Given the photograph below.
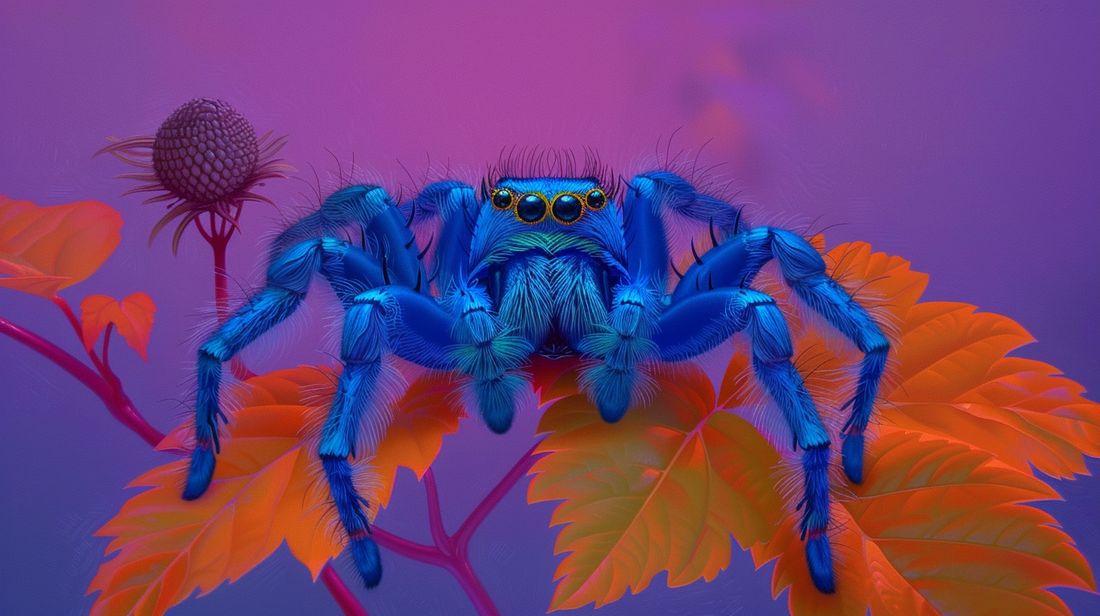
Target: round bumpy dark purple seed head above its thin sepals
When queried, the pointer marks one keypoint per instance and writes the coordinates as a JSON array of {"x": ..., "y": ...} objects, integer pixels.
[{"x": 205, "y": 152}]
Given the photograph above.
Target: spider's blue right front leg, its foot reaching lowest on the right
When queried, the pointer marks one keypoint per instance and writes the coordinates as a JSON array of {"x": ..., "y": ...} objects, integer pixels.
[{"x": 729, "y": 311}]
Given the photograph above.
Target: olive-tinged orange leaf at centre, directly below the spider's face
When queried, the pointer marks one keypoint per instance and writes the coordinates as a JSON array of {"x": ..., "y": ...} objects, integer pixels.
[{"x": 659, "y": 491}]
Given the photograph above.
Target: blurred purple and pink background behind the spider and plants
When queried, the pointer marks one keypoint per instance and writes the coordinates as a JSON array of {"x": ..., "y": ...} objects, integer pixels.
[{"x": 964, "y": 137}]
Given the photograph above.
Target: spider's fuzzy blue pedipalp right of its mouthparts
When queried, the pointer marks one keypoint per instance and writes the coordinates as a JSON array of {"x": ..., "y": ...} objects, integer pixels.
[{"x": 621, "y": 348}]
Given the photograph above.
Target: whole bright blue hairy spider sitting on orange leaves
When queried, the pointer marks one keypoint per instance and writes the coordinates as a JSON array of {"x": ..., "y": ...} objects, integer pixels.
[{"x": 553, "y": 267}]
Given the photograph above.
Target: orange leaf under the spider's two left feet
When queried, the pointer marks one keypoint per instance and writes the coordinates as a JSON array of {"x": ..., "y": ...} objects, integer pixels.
[{"x": 268, "y": 488}]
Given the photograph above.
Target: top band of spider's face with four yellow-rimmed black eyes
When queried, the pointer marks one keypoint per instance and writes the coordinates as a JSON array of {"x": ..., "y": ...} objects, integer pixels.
[{"x": 534, "y": 201}]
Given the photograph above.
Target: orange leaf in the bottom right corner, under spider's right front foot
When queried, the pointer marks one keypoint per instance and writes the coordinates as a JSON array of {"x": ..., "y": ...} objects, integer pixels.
[{"x": 936, "y": 529}]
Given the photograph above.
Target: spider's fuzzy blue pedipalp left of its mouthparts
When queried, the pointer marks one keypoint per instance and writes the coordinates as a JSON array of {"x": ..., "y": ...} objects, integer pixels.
[{"x": 489, "y": 353}]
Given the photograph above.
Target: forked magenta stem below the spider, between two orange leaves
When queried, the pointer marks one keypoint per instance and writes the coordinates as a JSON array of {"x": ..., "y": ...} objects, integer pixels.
[{"x": 452, "y": 553}]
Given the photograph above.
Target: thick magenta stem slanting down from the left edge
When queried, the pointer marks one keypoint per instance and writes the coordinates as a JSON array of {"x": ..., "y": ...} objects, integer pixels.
[{"x": 117, "y": 402}]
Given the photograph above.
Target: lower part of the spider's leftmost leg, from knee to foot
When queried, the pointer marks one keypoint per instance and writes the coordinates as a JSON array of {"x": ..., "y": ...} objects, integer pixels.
[{"x": 289, "y": 280}]
